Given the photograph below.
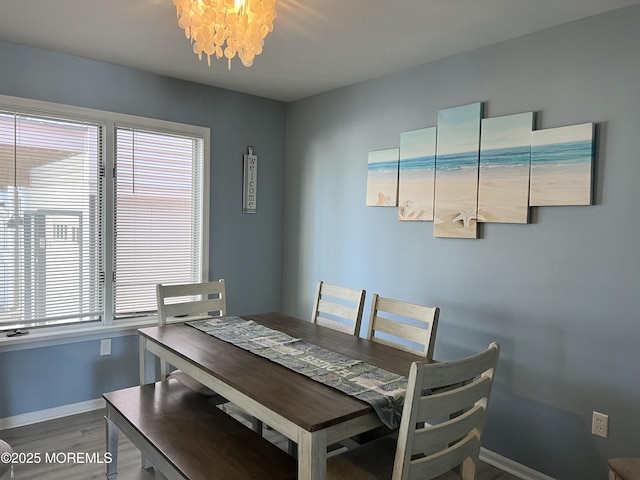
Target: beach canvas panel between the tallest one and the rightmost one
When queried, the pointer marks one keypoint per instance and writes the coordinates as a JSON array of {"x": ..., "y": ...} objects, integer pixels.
[{"x": 505, "y": 158}]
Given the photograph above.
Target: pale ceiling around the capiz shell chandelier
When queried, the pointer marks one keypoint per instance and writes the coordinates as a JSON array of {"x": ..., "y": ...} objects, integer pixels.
[{"x": 316, "y": 45}]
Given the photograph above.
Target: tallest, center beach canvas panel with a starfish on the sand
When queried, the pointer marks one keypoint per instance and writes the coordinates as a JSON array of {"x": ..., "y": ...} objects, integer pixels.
[{"x": 457, "y": 164}]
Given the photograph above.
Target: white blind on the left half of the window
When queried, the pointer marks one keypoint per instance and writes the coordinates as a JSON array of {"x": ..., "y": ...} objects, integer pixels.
[{"x": 50, "y": 221}]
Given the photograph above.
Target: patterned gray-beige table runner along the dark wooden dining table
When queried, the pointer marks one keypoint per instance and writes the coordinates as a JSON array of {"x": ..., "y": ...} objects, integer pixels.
[{"x": 381, "y": 389}]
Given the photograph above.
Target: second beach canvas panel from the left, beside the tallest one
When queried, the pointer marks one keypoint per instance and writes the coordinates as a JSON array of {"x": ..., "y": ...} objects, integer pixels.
[{"x": 417, "y": 174}]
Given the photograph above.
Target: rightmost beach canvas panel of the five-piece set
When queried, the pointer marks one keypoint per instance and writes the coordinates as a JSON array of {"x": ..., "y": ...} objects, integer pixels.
[{"x": 562, "y": 165}]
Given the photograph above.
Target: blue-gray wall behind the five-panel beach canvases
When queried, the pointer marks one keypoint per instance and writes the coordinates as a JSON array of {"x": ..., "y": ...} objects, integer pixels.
[{"x": 560, "y": 294}]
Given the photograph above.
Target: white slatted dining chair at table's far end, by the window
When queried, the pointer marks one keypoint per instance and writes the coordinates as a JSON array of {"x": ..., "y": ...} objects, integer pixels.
[{"x": 187, "y": 302}]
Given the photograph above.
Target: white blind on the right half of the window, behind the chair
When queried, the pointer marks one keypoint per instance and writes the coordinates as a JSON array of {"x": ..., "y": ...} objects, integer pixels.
[{"x": 158, "y": 216}]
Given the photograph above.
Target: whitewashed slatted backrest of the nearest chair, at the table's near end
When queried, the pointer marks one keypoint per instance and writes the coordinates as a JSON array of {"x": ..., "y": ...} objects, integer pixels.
[{"x": 451, "y": 399}]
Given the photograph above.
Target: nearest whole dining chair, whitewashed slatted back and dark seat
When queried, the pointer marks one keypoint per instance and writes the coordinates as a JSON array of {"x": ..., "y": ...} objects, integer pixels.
[{"x": 449, "y": 400}]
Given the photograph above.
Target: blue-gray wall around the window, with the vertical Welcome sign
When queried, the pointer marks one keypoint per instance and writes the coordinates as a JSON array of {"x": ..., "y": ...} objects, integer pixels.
[{"x": 246, "y": 250}]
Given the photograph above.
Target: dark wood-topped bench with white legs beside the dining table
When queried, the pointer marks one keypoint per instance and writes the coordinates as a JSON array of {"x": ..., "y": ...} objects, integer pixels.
[{"x": 185, "y": 437}]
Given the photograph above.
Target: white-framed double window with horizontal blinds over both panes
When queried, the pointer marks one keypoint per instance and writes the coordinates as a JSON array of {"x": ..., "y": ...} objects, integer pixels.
[{"x": 95, "y": 210}]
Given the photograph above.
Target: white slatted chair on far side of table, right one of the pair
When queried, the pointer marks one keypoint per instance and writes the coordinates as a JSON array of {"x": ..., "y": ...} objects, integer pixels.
[{"x": 403, "y": 325}]
